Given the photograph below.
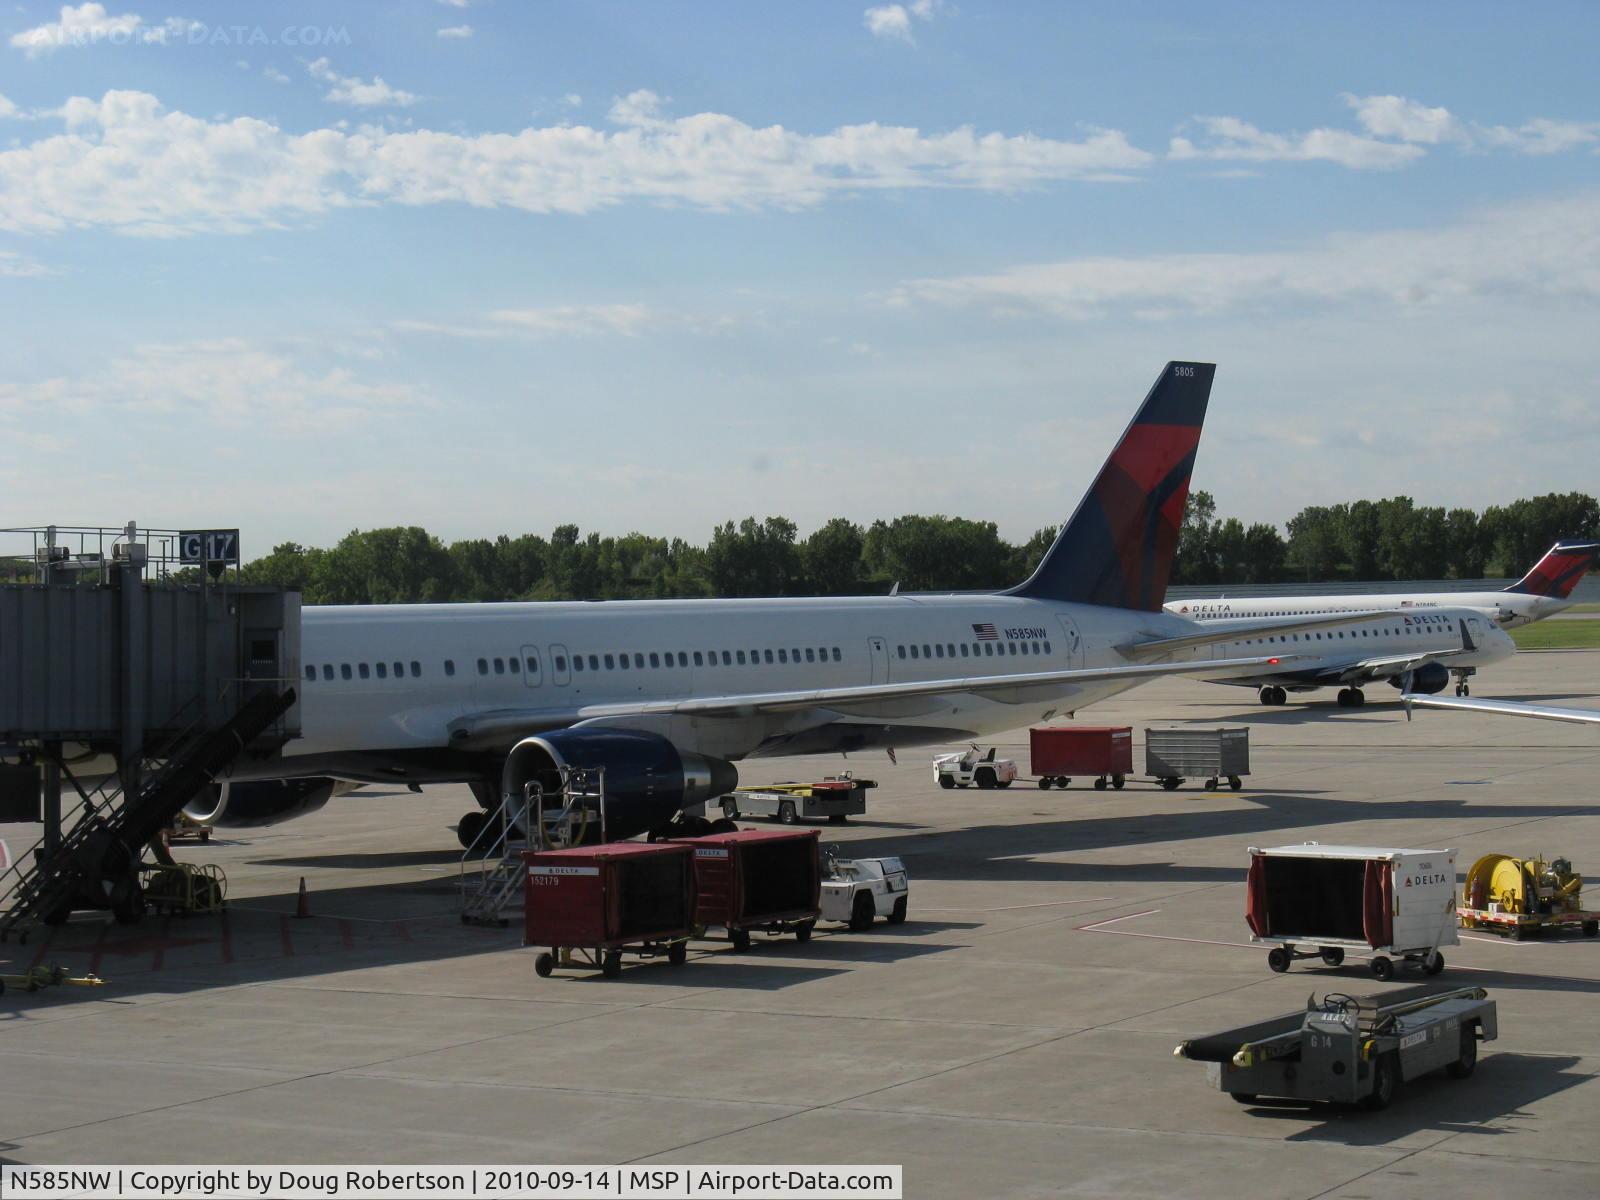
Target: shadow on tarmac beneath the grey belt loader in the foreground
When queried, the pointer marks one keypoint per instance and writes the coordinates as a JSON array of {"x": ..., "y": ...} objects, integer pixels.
[{"x": 1503, "y": 1087}]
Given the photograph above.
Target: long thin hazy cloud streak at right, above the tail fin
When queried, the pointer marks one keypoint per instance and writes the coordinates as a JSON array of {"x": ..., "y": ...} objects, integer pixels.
[{"x": 1546, "y": 250}]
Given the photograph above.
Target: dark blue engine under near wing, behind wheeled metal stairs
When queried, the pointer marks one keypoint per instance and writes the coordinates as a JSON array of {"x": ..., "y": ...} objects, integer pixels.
[{"x": 647, "y": 778}]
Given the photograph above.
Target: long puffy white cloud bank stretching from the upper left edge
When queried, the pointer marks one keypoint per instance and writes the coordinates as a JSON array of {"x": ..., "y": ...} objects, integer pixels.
[{"x": 127, "y": 164}]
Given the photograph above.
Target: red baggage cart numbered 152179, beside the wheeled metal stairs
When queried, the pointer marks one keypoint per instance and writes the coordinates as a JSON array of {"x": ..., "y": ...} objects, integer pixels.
[{"x": 593, "y": 903}]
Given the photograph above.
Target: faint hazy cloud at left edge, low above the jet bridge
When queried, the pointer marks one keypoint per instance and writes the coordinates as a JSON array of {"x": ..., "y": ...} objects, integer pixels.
[{"x": 231, "y": 382}]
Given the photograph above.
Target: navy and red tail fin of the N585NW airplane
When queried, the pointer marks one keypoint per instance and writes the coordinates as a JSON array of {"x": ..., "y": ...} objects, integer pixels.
[{"x": 1118, "y": 550}]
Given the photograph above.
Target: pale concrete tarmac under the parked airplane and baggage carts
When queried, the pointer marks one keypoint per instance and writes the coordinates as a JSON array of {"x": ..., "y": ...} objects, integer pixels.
[{"x": 1012, "y": 1039}]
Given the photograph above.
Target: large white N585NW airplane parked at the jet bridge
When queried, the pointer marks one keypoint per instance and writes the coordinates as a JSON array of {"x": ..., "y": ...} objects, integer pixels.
[{"x": 670, "y": 695}]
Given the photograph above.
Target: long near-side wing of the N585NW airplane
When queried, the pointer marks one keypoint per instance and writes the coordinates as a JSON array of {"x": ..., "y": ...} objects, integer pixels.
[{"x": 503, "y": 724}]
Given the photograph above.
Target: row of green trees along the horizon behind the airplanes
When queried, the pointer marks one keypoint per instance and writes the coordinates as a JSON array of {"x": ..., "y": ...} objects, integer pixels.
[{"x": 1366, "y": 540}]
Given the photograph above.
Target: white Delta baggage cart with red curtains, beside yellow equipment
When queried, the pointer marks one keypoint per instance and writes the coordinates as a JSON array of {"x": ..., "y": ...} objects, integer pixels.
[{"x": 1314, "y": 902}]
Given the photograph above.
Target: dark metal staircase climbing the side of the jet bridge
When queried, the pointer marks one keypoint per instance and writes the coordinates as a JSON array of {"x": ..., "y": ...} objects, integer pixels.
[{"x": 97, "y": 863}]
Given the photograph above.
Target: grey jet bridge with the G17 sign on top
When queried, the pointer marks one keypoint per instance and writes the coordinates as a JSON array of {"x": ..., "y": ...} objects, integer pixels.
[{"x": 135, "y": 668}]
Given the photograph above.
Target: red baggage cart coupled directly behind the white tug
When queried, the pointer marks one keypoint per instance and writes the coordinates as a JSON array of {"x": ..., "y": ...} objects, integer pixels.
[{"x": 758, "y": 879}]
